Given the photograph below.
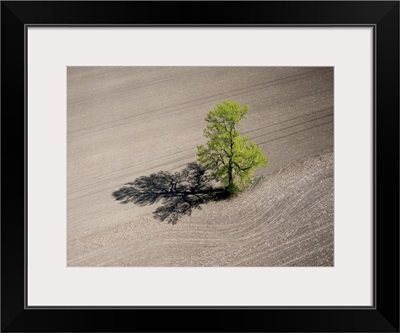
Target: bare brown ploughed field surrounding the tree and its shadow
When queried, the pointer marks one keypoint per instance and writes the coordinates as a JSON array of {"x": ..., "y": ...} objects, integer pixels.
[{"x": 128, "y": 122}]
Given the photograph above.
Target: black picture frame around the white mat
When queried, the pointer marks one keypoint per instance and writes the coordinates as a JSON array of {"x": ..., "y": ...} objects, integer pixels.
[{"x": 383, "y": 316}]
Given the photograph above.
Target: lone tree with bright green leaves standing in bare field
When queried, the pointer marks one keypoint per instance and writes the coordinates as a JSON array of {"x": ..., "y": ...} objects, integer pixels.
[{"x": 231, "y": 157}]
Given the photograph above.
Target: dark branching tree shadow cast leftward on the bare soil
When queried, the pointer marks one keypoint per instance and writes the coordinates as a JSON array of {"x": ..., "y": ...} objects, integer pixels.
[{"x": 179, "y": 192}]
